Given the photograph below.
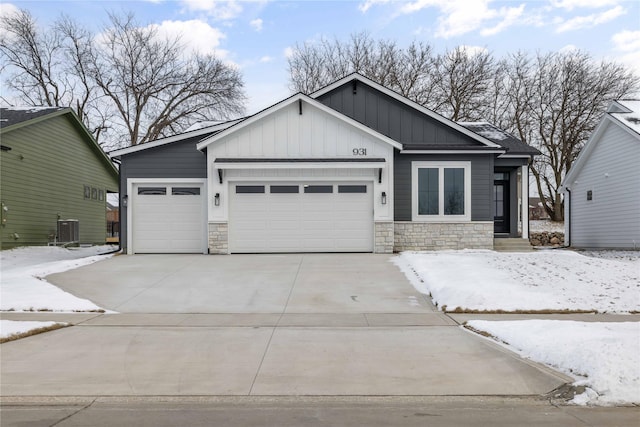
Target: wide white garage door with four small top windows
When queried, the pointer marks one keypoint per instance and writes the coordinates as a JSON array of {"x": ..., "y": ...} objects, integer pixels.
[{"x": 299, "y": 217}]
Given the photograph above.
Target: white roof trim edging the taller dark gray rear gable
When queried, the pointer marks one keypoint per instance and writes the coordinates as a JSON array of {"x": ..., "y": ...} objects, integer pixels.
[{"x": 432, "y": 114}]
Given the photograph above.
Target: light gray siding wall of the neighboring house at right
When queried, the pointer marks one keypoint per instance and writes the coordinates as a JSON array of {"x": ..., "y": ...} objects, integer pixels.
[{"x": 612, "y": 218}]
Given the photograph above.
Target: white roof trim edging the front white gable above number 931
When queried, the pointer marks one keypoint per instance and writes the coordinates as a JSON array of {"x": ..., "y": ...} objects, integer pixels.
[{"x": 299, "y": 97}]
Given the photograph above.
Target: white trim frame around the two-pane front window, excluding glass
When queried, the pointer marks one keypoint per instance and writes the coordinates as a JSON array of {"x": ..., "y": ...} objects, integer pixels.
[{"x": 441, "y": 166}]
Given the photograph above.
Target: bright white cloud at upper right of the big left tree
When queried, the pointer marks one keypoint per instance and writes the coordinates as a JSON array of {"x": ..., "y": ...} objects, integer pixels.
[{"x": 196, "y": 35}]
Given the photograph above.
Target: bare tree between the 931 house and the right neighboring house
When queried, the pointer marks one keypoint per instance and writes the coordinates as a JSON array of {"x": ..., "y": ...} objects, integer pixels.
[{"x": 556, "y": 102}]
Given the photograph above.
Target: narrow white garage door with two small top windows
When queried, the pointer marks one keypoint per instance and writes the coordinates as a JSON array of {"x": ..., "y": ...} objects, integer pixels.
[{"x": 168, "y": 218}]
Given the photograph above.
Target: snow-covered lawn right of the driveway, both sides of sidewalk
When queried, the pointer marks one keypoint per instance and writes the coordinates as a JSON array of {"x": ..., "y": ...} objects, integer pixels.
[{"x": 604, "y": 357}]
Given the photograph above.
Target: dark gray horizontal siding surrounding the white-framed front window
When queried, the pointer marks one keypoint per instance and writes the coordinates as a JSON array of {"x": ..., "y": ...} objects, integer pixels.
[{"x": 481, "y": 183}]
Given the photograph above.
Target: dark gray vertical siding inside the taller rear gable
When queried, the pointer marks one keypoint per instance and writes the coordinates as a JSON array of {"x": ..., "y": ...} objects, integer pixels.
[{"x": 391, "y": 117}]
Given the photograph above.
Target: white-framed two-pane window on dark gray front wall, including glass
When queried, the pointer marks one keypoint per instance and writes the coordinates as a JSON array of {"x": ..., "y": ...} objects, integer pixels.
[{"x": 441, "y": 191}]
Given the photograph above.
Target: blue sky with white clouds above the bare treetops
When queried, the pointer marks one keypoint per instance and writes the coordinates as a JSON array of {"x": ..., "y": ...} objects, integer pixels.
[{"x": 257, "y": 35}]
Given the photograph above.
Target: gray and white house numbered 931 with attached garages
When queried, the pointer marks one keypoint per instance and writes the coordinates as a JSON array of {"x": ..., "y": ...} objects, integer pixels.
[{"x": 353, "y": 167}]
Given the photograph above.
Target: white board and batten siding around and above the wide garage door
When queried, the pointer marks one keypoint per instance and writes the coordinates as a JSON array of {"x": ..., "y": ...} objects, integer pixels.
[{"x": 287, "y": 134}]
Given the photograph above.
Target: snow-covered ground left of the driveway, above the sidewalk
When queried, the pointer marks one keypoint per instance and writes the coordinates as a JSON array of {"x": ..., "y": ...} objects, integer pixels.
[{"x": 23, "y": 288}]
